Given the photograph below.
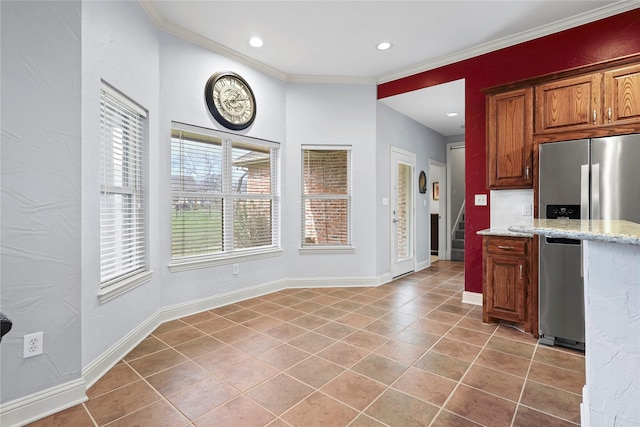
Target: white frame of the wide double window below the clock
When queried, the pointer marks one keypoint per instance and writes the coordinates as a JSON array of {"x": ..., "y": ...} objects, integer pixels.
[{"x": 230, "y": 254}]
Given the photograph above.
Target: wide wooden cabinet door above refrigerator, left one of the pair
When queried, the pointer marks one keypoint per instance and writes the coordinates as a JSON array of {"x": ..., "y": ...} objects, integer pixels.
[{"x": 569, "y": 104}]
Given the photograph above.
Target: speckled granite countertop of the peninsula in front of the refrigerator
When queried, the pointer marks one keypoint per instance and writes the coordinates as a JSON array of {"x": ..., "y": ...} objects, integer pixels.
[{"x": 611, "y": 231}]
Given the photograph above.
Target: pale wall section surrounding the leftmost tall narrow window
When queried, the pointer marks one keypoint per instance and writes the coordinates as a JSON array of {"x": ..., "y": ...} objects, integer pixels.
[{"x": 119, "y": 45}]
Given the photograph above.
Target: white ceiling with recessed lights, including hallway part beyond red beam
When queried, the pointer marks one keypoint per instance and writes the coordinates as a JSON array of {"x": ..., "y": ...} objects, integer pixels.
[{"x": 335, "y": 41}]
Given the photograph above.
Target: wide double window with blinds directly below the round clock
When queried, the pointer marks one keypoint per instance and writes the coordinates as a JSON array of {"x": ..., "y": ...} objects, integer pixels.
[{"x": 224, "y": 194}]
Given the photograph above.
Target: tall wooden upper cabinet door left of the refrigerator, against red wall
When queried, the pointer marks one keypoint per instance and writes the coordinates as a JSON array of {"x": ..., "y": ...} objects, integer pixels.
[{"x": 510, "y": 139}]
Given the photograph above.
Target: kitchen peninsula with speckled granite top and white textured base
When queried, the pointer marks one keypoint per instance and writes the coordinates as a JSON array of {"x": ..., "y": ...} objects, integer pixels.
[{"x": 611, "y": 254}]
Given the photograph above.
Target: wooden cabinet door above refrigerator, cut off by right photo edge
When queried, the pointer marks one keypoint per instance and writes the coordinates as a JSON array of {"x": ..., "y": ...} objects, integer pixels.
[{"x": 622, "y": 95}]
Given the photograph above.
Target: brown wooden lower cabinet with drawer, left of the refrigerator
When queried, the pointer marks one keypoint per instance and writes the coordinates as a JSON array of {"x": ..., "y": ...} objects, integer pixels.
[{"x": 507, "y": 286}]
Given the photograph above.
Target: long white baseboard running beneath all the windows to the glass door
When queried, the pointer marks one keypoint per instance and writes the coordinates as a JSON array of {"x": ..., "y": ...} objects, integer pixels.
[{"x": 44, "y": 403}]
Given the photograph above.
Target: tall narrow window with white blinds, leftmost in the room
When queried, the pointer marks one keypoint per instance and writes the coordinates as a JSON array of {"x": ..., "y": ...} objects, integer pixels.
[{"x": 122, "y": 210}]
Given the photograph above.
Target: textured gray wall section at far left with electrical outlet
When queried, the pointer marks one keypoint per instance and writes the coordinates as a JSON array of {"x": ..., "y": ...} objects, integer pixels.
[{"x": 41, "y": 175}]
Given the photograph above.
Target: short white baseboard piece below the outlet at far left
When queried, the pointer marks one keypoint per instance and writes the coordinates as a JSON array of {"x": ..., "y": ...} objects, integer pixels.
[{"x": 42, "y": 403}]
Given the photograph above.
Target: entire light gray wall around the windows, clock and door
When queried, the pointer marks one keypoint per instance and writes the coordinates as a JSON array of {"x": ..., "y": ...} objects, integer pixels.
[{"x": 54, "y": 55}]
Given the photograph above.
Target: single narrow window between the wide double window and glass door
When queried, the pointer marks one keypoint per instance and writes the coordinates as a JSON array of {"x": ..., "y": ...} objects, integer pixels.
[{"x": 326, "y": 199}]
